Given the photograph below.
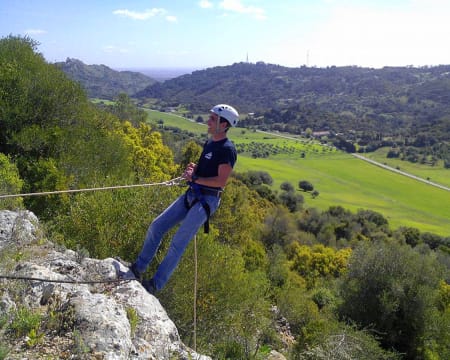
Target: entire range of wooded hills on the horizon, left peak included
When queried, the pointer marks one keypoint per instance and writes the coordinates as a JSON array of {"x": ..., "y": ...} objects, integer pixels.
[{"x": 357, "y": 109}]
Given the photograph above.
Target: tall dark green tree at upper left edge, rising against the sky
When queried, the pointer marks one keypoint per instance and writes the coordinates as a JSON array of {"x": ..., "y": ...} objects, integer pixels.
[{"x": 35, "y": 93}]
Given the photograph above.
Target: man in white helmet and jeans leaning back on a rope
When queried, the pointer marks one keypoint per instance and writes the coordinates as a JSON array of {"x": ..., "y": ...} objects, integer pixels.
[{"x": 207, "y": 180}]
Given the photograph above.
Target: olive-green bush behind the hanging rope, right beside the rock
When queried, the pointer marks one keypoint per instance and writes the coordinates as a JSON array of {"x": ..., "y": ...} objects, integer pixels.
[{"x": 231, "y": 305}]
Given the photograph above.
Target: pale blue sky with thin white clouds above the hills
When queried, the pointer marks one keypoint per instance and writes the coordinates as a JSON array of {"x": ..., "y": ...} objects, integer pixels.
[{"x": 200, "y": 34}]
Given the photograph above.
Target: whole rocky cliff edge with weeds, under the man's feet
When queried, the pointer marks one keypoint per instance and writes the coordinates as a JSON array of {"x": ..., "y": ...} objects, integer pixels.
[{"x": 73, "y": 318}]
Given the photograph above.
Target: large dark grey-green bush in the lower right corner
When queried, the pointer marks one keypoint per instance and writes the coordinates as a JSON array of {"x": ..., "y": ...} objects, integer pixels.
[{"x": 393, "y": 289}]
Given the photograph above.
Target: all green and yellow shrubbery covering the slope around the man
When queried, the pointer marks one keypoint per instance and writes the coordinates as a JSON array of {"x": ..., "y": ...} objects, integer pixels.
[{"x": 345, "y": 282}]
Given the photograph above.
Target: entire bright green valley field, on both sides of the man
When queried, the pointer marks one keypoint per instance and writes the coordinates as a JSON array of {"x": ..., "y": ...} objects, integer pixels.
[{"x": 344, "y": 180}]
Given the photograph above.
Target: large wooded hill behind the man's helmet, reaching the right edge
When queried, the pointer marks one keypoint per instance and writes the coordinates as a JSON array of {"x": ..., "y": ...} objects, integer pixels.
[{"x": 375, "y": 103}]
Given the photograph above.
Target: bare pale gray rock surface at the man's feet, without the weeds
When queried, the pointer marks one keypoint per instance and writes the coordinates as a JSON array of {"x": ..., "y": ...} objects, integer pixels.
[{"x": 101, "y": 310}]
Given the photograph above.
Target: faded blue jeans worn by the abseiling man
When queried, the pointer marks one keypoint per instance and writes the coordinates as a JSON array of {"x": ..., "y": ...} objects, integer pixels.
[{"x": 190, "y": 221}]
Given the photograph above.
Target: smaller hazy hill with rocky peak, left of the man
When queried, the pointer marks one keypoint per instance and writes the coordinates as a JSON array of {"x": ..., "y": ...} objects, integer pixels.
[{"x": 103, "y": 82}]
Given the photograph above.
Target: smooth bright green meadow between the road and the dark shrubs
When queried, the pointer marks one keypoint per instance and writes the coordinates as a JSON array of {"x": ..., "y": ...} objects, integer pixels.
[{"x": 354, "y": 184}]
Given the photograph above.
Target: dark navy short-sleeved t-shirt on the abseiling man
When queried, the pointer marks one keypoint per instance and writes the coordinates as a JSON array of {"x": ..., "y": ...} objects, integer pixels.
[{"x": 215, "y": 153}]
